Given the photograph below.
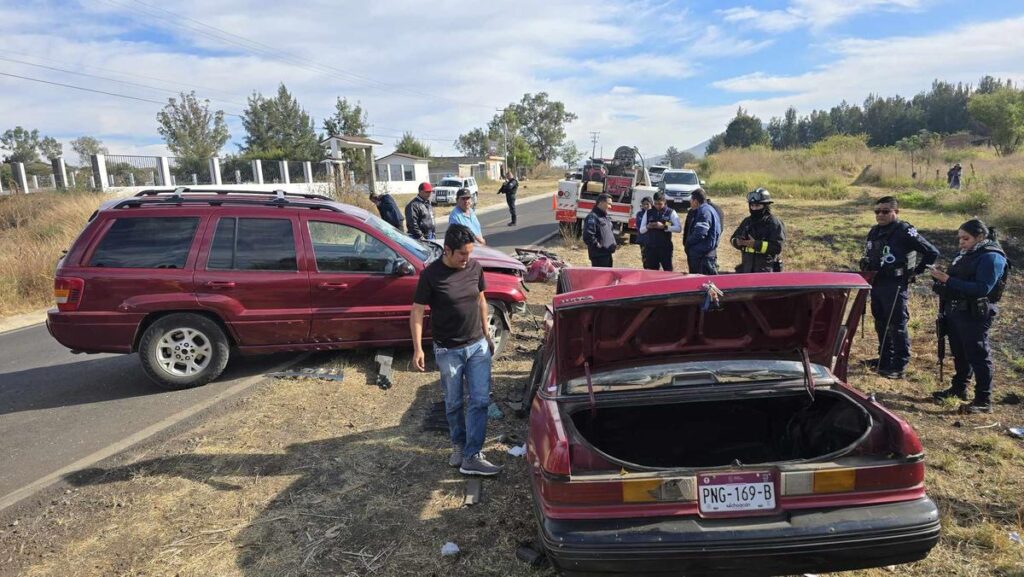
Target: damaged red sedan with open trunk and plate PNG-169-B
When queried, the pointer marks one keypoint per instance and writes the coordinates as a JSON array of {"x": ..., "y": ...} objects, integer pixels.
[{"x": 682, "y": 428}]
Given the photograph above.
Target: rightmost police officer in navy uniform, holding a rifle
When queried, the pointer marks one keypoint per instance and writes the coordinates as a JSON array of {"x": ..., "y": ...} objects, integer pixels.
[{"x": 968, "y": 297}]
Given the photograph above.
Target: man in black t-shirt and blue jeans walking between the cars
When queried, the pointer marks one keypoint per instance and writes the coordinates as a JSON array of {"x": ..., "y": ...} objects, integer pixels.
[{"x": 453, "y": 287}]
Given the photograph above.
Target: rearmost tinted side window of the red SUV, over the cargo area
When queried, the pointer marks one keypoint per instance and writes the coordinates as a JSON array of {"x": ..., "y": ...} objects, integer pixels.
[{"x": 147, "y": 243}]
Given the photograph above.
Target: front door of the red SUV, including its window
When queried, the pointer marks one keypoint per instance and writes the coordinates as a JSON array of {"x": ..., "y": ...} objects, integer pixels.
[{"x": 362, "y": 288}]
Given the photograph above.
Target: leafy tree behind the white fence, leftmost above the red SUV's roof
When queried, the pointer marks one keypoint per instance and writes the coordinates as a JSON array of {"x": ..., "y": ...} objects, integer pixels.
[{"x": 190, "y": 130}]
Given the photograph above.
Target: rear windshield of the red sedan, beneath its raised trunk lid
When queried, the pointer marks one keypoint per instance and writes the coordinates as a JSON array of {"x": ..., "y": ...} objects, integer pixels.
[{"x": 697, "y": 374}]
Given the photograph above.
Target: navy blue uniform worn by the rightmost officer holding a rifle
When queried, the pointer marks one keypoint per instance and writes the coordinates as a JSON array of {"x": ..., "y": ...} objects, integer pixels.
[{"x": 969, "y": 303}]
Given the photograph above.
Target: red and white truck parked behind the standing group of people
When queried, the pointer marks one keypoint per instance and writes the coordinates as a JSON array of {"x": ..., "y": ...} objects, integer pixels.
[{"x": 621, "y": 177}]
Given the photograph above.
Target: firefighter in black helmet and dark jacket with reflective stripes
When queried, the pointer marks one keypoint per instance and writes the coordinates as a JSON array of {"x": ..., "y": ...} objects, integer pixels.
[{"x": 760, "y": 237}]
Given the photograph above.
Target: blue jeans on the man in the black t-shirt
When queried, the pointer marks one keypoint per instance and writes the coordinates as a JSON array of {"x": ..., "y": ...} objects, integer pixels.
[{"x": 471, "y": 364}]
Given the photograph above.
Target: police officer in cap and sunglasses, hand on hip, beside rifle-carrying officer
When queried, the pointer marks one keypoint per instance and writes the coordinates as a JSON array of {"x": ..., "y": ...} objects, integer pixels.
[{"x": 895, "y": 253}]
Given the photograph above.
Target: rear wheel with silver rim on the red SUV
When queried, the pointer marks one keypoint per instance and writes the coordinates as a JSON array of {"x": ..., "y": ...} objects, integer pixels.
[{"x": 184, "y": 351}]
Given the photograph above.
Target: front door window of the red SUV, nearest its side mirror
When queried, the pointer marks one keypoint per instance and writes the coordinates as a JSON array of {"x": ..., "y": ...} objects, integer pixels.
[{"x": 345, "y": 250}]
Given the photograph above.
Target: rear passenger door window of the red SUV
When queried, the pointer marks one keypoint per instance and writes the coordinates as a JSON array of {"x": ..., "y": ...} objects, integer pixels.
[{"x": 253, "y": 244}]
